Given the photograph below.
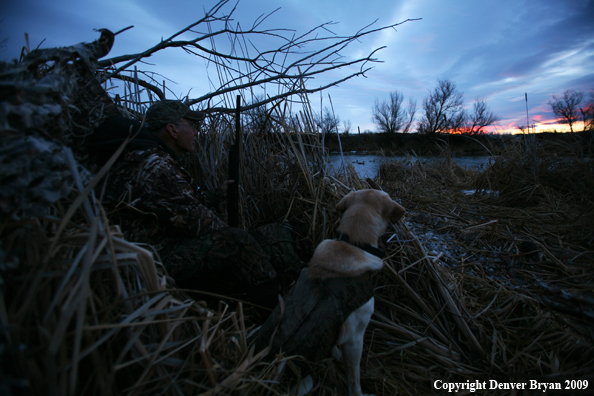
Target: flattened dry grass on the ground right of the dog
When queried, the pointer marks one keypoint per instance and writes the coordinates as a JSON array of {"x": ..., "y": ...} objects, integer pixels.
[{"x": 510, "y": 263}]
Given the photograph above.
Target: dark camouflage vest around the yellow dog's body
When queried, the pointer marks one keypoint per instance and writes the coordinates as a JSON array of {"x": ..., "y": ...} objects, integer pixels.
[{"x": 314, "y": 311}]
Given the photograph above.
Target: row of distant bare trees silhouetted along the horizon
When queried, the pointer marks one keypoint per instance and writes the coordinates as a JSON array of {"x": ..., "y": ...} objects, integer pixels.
[{"x": 442, "y": 111}]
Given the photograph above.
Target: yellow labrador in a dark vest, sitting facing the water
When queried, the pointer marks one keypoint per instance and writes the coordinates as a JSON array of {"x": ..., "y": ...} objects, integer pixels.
[{"x": 332, "y": 301}]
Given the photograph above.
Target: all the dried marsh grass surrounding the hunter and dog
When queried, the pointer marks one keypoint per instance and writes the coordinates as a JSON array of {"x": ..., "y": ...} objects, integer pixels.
[{"x": 86, "y": 311}]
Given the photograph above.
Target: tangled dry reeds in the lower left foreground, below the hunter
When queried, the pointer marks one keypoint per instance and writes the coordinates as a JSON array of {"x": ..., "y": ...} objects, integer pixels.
[{"x": 88, "y": 312}]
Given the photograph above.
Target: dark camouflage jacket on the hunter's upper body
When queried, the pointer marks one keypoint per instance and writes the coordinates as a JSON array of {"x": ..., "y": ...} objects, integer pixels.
[{"x": 155, "y": 197}]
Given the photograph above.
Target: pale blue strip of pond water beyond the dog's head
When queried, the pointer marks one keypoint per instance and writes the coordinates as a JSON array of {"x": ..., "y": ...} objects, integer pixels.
[{"x": 368, "y": 165}]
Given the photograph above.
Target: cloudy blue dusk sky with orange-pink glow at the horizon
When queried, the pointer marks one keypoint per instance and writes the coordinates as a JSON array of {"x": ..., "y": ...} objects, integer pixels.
[{"x": 494, "y": 50}]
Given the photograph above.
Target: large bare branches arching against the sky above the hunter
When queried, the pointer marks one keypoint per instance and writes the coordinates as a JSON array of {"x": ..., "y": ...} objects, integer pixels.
[{"x": 288, "y": 66}]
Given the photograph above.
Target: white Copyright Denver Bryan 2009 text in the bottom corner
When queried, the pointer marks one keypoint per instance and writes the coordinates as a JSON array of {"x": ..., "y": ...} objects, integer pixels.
[{"x": 473, "y": 386}]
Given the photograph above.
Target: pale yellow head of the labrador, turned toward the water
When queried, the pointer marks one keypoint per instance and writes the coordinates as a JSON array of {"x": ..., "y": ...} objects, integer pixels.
[{"x": 372, "y": 207}]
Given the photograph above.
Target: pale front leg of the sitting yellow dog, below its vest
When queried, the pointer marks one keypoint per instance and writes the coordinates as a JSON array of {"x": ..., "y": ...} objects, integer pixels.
[{"x": 350, "y": 341}]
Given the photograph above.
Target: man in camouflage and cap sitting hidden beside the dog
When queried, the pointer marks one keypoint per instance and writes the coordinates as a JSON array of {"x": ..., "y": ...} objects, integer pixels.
[{"x": 159, "y": 203}]
